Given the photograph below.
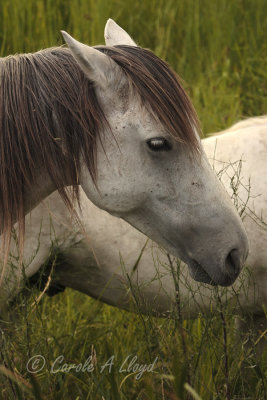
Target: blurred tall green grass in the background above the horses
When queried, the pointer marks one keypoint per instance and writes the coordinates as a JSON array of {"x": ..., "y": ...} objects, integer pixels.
[{"x": 218, "y": 47}]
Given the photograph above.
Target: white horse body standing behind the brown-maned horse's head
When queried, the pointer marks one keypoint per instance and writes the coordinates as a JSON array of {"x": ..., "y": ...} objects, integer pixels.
[{"x": 99, "y": 257}]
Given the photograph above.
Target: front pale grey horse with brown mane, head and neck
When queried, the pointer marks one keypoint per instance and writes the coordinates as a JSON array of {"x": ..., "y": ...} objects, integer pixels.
[{"x": 62, "y": 110}]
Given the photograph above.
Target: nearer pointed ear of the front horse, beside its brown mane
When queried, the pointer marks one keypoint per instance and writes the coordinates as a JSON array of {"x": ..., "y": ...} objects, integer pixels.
[{"x": 97, "y": 66}]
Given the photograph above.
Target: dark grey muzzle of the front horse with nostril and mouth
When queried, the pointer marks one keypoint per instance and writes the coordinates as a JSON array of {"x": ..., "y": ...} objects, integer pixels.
[{"x": 213, "y": 255}]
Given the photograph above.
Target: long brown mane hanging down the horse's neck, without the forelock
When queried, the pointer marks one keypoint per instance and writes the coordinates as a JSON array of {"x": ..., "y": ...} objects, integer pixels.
[{"x": 49, "y": 117}]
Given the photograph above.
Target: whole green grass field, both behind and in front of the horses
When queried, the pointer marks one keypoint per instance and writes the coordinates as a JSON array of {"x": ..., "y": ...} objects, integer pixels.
[{"x": 219, "y": 48}]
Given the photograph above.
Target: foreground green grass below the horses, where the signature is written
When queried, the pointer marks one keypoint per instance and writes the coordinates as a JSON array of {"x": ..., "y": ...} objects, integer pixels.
[{"x": 207, "y": 353}]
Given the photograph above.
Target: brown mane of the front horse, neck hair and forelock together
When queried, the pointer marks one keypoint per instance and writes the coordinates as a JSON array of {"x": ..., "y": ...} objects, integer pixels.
[{"x": 50, "y": 117}]
